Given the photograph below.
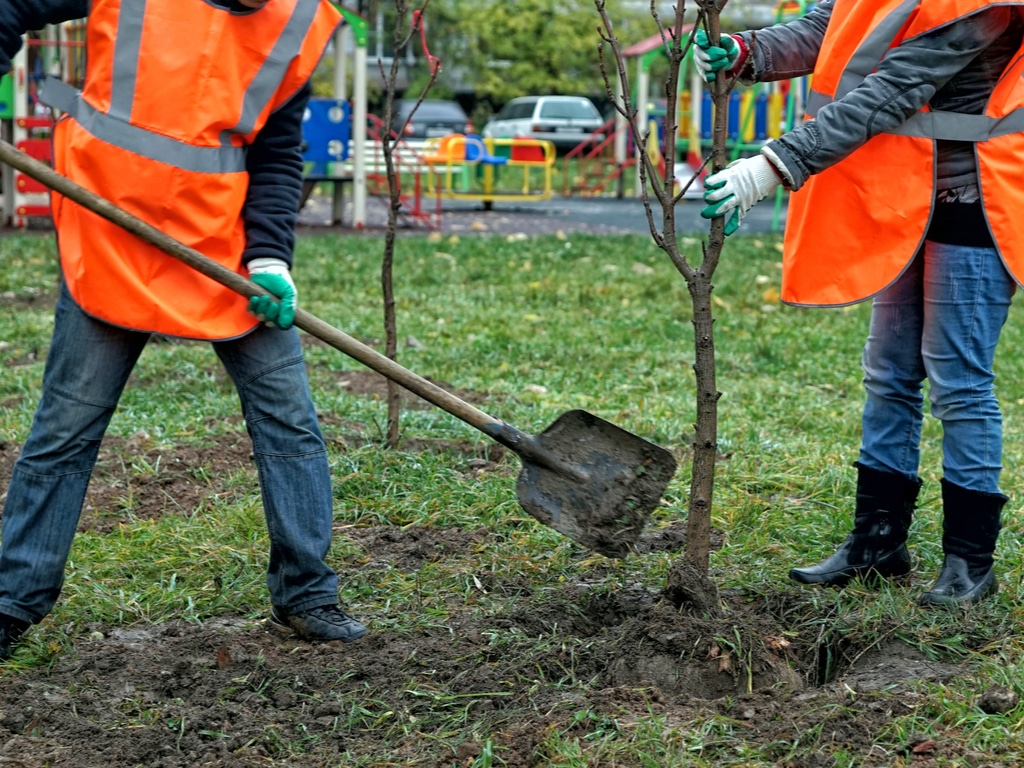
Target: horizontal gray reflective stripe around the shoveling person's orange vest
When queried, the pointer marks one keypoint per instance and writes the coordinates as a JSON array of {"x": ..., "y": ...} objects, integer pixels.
[{"x": 139, "y": 141}]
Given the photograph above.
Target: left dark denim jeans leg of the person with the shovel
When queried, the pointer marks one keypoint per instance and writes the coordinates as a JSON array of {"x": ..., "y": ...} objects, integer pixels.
[{"x": 88, "y": 366}]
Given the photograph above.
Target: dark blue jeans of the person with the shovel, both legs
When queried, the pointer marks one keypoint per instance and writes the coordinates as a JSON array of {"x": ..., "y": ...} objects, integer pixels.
[{"x": 89, "y": 364}]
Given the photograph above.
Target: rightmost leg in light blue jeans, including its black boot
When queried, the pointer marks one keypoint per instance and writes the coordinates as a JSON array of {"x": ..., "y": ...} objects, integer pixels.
[{"x": 967, "y": 301}]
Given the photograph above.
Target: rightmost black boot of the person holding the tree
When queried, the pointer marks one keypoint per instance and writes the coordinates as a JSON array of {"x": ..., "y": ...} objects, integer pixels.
[{"x": 970, "y": 528}]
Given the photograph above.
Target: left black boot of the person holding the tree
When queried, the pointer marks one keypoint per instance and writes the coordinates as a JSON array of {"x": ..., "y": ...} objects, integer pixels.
[{"x": 878, "y": 543}]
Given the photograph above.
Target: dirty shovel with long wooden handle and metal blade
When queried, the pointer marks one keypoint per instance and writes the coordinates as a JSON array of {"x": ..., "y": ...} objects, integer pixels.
[{"x": 583, "y": 477}]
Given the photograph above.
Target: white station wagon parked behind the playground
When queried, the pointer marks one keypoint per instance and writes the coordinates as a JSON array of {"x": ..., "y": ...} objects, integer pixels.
[{"x": 566, "y": 121}]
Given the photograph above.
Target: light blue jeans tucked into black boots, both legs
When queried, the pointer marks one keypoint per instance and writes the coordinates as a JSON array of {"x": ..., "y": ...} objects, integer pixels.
[{"x": 941, "y": 321}]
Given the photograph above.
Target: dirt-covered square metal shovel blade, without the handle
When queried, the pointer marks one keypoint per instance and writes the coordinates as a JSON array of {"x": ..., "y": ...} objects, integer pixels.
[{"x": 619, "y": 481}]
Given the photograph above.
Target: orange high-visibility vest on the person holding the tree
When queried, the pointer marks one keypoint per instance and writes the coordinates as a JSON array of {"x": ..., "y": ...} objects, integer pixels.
[{"x": 854, "y": 229}]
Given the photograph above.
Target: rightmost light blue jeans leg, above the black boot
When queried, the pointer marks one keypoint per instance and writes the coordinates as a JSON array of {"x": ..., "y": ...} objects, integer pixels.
[{"x": 967, "y": 301}]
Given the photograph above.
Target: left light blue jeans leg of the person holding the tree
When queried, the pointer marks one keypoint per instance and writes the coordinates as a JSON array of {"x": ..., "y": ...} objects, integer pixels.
[{"x": 894, "y": 374}]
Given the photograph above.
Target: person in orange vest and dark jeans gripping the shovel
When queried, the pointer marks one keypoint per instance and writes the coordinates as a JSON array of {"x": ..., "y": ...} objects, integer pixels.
[{"x": 191, "y": 119}]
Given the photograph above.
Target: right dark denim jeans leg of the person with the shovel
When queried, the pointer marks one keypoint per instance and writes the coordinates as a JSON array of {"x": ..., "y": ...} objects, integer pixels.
[{"x": 270, "y": 374}]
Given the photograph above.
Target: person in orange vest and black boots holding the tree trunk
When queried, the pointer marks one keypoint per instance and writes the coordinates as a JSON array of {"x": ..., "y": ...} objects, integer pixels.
[{"x": 907, "y": 191}]
